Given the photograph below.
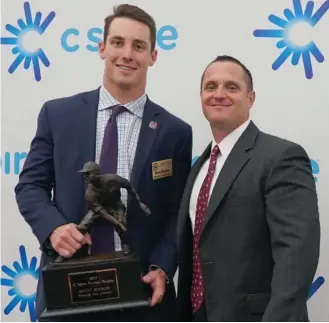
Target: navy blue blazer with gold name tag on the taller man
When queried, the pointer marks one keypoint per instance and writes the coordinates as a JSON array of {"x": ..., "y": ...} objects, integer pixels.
[{"x": 50, "y": 191}]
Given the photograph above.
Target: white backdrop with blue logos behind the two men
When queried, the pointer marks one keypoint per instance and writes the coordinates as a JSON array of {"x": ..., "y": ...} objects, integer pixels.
[{"x": 288, "y": 104}]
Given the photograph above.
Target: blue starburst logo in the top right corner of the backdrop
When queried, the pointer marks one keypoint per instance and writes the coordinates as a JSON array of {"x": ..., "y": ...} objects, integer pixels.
[{"x": 287, "y": 44}]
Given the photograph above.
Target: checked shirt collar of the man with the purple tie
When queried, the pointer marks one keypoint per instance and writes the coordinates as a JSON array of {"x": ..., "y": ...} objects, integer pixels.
[{"x": 106, "y": 101}]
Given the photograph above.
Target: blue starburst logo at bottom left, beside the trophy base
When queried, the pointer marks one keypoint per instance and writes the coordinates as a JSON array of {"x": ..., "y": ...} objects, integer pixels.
[{"x": 20, "y": 271}]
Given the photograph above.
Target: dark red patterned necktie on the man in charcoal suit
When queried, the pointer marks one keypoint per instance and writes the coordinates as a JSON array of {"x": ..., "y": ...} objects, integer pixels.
[{"x": 197, "y": 293}]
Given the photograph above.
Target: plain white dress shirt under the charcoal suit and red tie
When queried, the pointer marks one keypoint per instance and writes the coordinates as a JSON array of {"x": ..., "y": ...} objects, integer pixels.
[{"x": 225, "y": 147}]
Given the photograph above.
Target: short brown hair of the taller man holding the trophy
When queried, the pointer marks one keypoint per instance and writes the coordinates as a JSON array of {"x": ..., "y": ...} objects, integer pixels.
[{"x": 135, "y": 13}]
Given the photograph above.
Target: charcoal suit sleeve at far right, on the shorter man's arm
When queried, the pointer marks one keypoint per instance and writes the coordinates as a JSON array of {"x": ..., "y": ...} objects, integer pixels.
[{"x": 293, "y": 219}]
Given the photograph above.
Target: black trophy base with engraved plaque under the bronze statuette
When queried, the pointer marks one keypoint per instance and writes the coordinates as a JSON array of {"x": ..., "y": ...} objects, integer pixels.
[{"x": 93, "y": 284}]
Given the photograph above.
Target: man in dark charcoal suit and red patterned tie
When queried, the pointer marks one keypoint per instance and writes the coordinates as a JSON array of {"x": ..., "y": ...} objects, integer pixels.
[{"x": 248, "y": 227}]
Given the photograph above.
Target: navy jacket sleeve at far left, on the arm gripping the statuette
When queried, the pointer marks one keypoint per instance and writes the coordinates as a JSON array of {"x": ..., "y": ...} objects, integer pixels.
[{"x": 36, "y": 181}]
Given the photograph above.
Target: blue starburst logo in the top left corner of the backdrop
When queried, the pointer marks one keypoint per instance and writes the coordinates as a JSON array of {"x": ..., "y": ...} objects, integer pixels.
[{"x": 23, "y": 28}]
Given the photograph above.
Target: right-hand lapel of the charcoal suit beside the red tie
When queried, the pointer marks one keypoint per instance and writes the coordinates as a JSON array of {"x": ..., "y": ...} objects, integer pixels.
[{"x": 235, "y": 162}]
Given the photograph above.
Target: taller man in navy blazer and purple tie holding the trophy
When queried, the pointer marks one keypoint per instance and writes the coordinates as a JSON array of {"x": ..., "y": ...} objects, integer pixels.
[{"x": 126, "y": 140}]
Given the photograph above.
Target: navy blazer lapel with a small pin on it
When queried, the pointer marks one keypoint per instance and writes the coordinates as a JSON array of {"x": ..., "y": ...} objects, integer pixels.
[{"x": 147, "y": 136}]
